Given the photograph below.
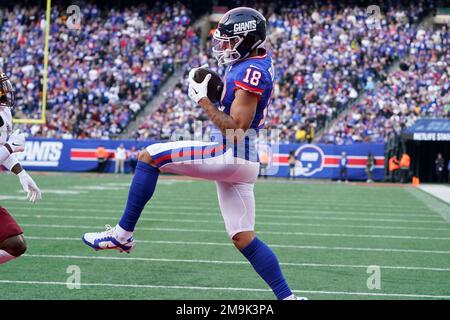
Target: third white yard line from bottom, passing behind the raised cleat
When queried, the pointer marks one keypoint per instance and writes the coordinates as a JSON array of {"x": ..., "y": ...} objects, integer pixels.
[{"x": 226, "y": 244}]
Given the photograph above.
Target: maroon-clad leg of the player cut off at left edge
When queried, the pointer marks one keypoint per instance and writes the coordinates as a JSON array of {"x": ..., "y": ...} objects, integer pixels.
[{"x": 12, "y": 241}]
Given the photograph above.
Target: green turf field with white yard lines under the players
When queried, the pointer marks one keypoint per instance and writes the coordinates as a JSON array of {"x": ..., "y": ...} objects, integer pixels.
[{"x": 325, "y": 235}]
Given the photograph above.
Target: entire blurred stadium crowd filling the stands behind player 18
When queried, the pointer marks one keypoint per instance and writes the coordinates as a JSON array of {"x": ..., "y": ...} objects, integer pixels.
[{"x": 326, "y": 56}]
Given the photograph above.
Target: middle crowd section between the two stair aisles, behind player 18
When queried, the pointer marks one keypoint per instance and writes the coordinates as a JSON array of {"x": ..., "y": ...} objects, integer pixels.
[{"x": 324, "y": 57}]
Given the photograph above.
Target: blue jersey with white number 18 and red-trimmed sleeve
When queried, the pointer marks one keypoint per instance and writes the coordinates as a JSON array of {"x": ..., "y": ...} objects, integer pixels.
[{"x": 254, "y": 74}]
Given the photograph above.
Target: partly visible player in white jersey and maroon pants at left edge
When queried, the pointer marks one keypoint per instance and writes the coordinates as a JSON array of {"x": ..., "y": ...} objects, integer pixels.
[{"x": 12, "y": 241}]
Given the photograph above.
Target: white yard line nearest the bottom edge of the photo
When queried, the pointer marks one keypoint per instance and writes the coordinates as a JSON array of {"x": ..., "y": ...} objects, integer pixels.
[{"x": 113, "y": 285}]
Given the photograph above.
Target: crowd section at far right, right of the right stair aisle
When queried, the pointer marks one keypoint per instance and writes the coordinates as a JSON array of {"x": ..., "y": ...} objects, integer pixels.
[{"x": 420, "y": 87}]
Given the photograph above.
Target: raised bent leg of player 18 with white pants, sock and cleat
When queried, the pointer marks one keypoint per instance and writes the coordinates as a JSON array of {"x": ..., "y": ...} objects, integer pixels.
[{"x": 192, "y": 158}]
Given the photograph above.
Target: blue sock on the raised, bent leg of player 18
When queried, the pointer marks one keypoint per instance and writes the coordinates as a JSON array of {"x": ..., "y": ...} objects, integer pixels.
[{"x": 141, "y": 190}]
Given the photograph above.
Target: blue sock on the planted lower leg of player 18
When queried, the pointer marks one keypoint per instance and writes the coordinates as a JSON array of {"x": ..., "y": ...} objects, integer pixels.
[{"x": 265, "y": 262}]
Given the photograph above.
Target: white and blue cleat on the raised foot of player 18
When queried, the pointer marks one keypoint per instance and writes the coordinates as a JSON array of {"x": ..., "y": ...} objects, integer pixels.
[{"x": 108, "y": 240}]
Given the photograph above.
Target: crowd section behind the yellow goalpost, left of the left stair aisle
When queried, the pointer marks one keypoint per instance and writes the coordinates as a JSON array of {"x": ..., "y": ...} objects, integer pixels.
[{"x": 100, "y": 74}]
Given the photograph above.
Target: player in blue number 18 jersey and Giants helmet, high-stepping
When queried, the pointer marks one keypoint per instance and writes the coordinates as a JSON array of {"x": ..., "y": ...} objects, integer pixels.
[{"x": 230, "y": 159}]
